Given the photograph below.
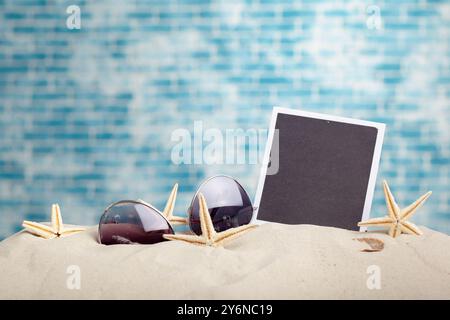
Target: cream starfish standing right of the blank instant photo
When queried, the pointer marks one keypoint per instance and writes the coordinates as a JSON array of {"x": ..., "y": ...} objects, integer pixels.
[{"x": 397, "y": 218}]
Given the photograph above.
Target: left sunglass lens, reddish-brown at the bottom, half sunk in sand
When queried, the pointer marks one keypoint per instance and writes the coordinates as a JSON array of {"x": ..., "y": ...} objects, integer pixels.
[{"x": 128, "y": 222}]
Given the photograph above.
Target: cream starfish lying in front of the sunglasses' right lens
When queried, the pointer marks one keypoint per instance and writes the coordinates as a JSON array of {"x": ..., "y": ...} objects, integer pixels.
[{"x": 209, "y": 236}]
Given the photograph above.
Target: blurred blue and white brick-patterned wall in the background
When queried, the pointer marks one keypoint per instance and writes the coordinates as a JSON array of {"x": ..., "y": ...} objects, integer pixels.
[{"x": 86, "y": 115}]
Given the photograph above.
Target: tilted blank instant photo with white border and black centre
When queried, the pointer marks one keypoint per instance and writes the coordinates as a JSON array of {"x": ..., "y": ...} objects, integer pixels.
[{"x": 318, "y": 169}]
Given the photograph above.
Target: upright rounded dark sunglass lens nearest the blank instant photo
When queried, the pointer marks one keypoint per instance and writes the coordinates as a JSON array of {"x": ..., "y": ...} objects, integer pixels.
[{"x": 228, "y": 204}]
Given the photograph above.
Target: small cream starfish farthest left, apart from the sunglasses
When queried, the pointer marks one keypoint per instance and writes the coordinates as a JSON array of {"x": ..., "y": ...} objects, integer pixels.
[{"x": 57, "y": 228}]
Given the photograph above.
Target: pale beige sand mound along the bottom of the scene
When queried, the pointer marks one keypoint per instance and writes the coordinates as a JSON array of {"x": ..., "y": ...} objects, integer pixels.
[{"x": 273, "y": 261}]
